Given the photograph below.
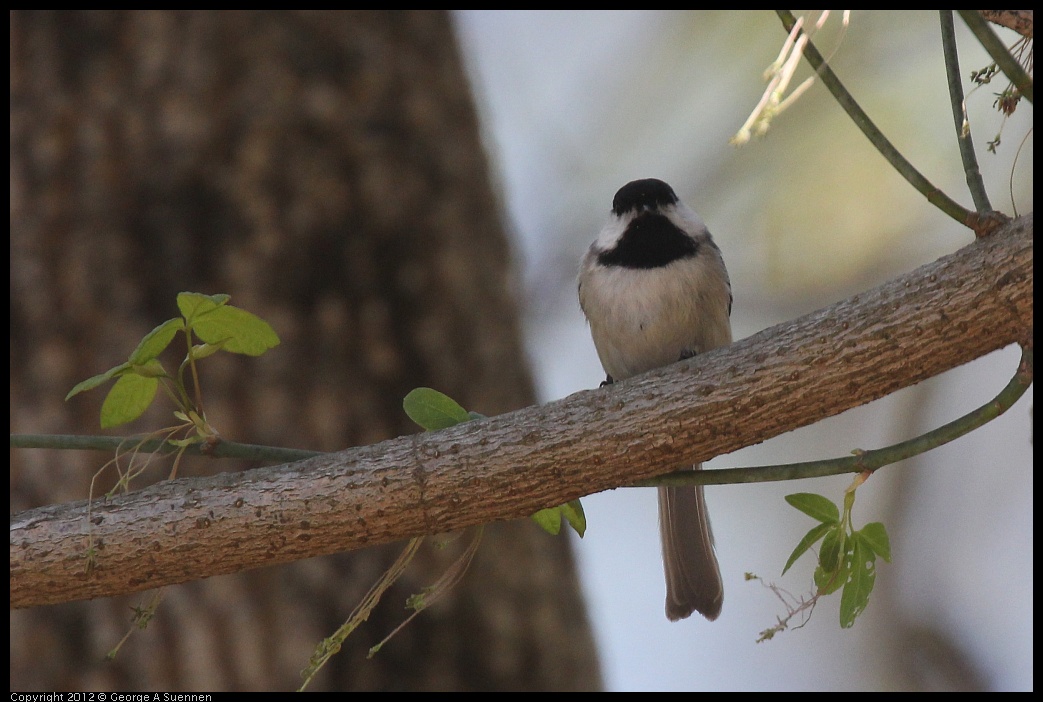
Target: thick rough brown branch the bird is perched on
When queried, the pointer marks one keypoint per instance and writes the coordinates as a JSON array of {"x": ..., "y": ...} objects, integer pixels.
[{"x": 940, "y": 317}]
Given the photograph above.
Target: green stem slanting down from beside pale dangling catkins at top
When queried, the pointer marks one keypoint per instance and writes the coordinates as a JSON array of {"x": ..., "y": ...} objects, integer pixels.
[{"x": 859, "y": 116}]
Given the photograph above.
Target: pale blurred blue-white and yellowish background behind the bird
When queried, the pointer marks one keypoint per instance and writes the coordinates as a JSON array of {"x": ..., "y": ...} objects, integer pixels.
[{"x": 575, "y": 105}]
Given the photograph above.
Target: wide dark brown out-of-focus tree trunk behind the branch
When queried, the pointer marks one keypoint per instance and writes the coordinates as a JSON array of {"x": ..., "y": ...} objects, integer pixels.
[{"x": 326, "y": 171}]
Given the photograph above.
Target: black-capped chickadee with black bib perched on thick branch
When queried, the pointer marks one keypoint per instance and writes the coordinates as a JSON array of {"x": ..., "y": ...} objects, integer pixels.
[{"x": 654, "y": 289}]
